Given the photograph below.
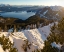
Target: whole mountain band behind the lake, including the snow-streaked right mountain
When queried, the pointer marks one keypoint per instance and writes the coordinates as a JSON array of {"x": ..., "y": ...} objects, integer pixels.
[{"x": 48, "y": 12}]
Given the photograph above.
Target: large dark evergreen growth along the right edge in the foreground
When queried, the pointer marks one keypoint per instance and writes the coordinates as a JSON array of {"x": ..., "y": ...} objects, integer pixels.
[{"x": 56, "y": 35}]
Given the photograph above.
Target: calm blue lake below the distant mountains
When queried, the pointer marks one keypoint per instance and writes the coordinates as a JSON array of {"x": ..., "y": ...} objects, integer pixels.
[{"x": 21, "y": 15}]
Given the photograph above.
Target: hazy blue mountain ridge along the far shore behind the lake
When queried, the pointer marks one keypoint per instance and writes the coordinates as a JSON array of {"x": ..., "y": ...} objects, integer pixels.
[{"x": 11, "y": 8}]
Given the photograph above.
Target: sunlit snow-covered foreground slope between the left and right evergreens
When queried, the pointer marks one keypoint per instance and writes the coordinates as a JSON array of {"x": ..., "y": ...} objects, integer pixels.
[{"x": 34, "y": 37}]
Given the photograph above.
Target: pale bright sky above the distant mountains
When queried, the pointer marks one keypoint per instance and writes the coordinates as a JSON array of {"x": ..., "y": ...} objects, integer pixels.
[{"x": 33, "y": 2}]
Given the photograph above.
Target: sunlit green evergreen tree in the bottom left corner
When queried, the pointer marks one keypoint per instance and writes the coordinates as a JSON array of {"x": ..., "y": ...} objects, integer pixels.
[{"x": 6, "y": 44}]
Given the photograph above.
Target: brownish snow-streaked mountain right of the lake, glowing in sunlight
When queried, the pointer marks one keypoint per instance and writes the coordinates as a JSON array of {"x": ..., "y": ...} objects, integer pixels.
[{"x": 52, "y": 12}]
